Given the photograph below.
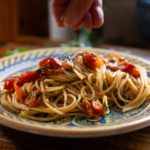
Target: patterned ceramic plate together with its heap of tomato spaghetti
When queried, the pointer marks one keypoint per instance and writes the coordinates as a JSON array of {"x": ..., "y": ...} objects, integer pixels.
[{"x": 74, "y": 92}]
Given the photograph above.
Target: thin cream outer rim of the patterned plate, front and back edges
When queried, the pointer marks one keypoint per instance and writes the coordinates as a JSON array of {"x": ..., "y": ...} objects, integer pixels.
[{"x": 95, "y": 131}]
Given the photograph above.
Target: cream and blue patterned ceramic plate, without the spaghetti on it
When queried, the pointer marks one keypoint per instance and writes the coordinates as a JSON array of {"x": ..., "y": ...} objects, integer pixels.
[{"x": 114, "y": 123}]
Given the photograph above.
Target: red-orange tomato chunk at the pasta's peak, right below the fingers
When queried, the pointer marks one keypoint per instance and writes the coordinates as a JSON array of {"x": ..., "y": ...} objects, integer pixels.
[{"x": 92, "y": 61}]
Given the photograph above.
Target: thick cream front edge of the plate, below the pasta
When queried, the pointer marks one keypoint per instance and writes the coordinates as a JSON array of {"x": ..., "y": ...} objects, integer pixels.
[{"x": 61, "y": 131}]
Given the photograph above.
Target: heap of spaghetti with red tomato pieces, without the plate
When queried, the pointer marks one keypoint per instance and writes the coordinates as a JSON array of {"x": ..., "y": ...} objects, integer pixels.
[{"x": 88, "y": 85}]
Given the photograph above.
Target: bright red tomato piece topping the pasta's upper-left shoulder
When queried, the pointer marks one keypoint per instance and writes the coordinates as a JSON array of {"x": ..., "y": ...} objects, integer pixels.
[{"x": 49, "y": 62}]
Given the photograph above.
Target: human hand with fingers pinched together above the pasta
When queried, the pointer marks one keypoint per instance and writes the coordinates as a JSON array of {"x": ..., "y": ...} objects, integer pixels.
[{"x": 77, "y": 13}]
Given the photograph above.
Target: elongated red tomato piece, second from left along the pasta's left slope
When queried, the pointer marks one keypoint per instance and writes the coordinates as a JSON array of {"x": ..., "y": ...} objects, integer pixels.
[{"x": 28, "y": 76}]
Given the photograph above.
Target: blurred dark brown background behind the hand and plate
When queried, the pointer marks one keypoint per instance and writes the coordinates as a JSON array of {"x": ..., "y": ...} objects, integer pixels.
[{"x": 30, "y": 24}]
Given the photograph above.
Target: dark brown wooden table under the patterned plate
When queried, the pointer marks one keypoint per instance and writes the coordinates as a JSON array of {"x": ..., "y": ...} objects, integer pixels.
[{"x": 138, "y": 140}]
